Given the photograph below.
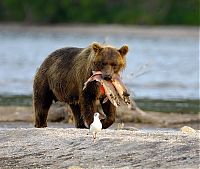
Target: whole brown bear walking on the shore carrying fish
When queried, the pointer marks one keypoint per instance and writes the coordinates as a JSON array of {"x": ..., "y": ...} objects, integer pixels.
[{"x": 62, "y": 75}]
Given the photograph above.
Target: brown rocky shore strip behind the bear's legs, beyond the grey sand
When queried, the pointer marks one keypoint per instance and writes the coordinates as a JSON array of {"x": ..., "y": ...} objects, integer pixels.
[{"x": 62, "y": 113}]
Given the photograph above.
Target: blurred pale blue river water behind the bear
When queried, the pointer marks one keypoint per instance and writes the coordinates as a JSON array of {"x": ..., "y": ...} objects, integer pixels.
[{"x": 158, "y": 67}]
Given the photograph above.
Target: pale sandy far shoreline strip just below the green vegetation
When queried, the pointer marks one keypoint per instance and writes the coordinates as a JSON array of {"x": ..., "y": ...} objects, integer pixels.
[{"x": 106, "y": 29}]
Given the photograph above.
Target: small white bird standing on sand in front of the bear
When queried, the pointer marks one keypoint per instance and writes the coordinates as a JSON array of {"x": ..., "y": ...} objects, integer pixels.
[{"x": 96, "y": 125}]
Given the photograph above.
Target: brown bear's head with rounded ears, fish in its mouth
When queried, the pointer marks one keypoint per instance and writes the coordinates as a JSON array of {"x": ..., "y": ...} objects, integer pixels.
[{"x": 109, "y": 60}]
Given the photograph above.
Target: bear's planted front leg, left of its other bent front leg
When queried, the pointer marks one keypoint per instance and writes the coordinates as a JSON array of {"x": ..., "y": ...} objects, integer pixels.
[{"x": 88, "y": 102}]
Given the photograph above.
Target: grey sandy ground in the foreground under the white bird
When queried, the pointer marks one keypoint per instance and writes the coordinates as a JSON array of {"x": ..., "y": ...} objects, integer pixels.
[{"x": 75, "y": 148}]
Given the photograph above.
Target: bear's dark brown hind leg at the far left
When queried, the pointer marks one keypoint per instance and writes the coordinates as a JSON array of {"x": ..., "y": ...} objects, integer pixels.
[{"x": 42, "y": 101}]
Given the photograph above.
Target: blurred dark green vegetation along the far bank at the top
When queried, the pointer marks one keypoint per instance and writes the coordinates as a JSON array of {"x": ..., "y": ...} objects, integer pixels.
[{"x": 143, "y": 12}]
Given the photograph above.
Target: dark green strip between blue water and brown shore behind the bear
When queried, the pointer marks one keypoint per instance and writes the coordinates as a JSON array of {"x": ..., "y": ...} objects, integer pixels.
[{"x": 167, "y": 106}]
